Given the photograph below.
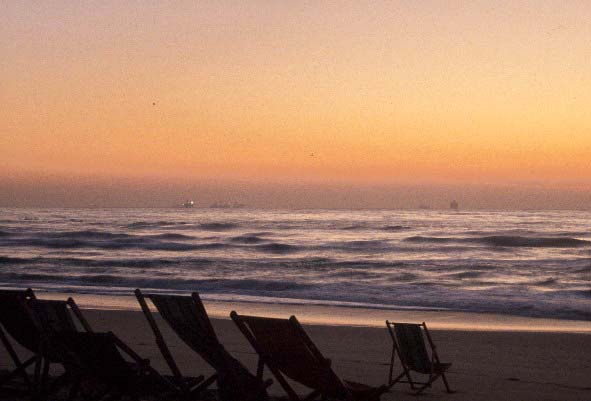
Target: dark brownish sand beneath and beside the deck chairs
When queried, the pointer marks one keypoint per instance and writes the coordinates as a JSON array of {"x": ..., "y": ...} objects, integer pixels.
[{"x": 488, "y": 365}]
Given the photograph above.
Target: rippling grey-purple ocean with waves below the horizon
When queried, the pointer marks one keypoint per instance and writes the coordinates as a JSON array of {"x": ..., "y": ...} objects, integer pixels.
[{"x": 523, "y": 263}]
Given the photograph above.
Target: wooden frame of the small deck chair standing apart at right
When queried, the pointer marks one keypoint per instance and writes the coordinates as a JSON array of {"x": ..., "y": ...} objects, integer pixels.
[{"x": 433, "y": 375}]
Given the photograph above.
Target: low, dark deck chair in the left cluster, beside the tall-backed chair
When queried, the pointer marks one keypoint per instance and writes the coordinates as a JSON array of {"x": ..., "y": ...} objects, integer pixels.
[{"x": 102, "y": 365}]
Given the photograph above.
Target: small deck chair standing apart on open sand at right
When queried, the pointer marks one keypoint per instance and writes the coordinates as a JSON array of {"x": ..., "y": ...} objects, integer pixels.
[{"x": 408, "y": 342}]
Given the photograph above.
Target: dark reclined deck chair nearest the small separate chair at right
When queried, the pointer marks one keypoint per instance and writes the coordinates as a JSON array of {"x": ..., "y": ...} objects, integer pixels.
[{"x": 285, "y": 348}]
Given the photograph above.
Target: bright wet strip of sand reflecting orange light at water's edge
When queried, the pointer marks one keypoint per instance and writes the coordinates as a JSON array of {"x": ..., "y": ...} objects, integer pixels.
[{"x": 337, "y": 315}]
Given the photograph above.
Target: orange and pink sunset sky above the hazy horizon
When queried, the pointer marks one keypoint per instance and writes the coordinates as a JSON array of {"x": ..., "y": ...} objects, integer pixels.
[{"x": 323, "y": 94}]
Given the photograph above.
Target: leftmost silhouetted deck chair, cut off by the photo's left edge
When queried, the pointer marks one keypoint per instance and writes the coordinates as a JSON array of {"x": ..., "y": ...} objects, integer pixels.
[{"x": 16, "y": 322}]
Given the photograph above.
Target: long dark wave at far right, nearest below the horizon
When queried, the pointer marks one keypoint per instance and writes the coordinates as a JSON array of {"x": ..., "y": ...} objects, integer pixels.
[{"x": 507, "y": 241}]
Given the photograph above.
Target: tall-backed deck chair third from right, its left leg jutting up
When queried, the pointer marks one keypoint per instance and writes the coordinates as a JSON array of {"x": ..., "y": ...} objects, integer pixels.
[{"x": 188, "y": 318}]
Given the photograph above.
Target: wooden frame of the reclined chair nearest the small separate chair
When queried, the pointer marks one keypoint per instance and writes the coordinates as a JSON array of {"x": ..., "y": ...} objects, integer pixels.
[{"x": 242, "y": 321}]
